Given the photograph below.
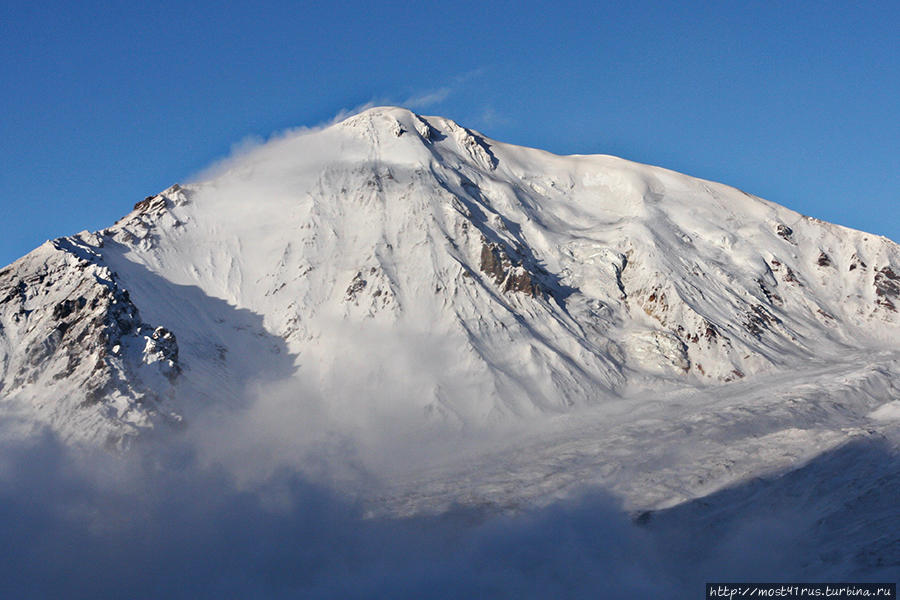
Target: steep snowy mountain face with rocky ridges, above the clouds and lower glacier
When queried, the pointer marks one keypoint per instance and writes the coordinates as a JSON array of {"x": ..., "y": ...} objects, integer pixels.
[{"x": 548, "y": 281}]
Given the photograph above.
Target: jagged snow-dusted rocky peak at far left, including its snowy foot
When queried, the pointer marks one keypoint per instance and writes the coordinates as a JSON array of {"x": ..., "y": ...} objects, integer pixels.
[{"x": 70, "y": 332}]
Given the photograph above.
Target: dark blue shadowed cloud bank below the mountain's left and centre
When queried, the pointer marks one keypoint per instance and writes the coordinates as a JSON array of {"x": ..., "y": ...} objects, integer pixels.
[{"x": 172, "y": 529}]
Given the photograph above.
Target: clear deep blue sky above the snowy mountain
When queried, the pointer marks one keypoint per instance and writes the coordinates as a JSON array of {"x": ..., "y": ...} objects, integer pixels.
[{"x": 103, "y": 103}]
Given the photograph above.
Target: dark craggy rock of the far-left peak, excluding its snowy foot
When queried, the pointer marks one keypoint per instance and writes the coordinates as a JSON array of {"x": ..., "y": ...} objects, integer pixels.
[{"x": 96, "y": 316}]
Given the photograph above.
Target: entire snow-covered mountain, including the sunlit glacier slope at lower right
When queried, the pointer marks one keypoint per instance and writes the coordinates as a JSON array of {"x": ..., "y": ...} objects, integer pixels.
[{"x": 670, "y": 335}]
